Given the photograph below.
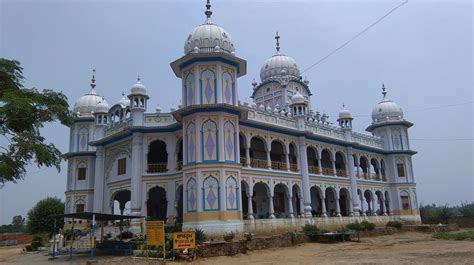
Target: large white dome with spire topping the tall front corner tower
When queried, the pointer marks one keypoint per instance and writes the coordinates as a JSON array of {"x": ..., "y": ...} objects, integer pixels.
[{"x": 209, "y": 37}]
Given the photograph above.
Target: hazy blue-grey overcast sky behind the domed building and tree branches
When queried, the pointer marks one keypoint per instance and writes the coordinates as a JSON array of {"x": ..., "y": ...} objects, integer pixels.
[{"x": 422, "y": 52}]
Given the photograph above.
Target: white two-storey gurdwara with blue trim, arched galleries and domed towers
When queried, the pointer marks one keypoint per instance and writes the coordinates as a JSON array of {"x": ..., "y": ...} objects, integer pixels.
[{"x": 221, "y": 164}]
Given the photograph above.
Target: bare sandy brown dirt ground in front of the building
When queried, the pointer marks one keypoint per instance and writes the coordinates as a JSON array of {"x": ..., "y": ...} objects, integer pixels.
[{"x": 403, "y": 248}]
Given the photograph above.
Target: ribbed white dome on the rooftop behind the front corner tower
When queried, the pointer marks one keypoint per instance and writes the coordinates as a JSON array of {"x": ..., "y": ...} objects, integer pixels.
[{"x": 279, "y": 65}]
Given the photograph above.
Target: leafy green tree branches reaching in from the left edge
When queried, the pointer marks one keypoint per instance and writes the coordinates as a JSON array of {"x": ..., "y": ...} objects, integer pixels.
[{"x": 23, "y": 112}]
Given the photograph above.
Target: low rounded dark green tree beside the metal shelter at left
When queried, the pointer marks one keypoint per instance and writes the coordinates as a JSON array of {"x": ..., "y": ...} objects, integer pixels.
[{"x": 39, "y": 216}]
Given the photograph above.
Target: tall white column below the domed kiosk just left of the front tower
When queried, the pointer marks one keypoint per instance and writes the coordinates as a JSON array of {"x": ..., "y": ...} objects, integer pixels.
[{"x": 136, "y": 173}]
